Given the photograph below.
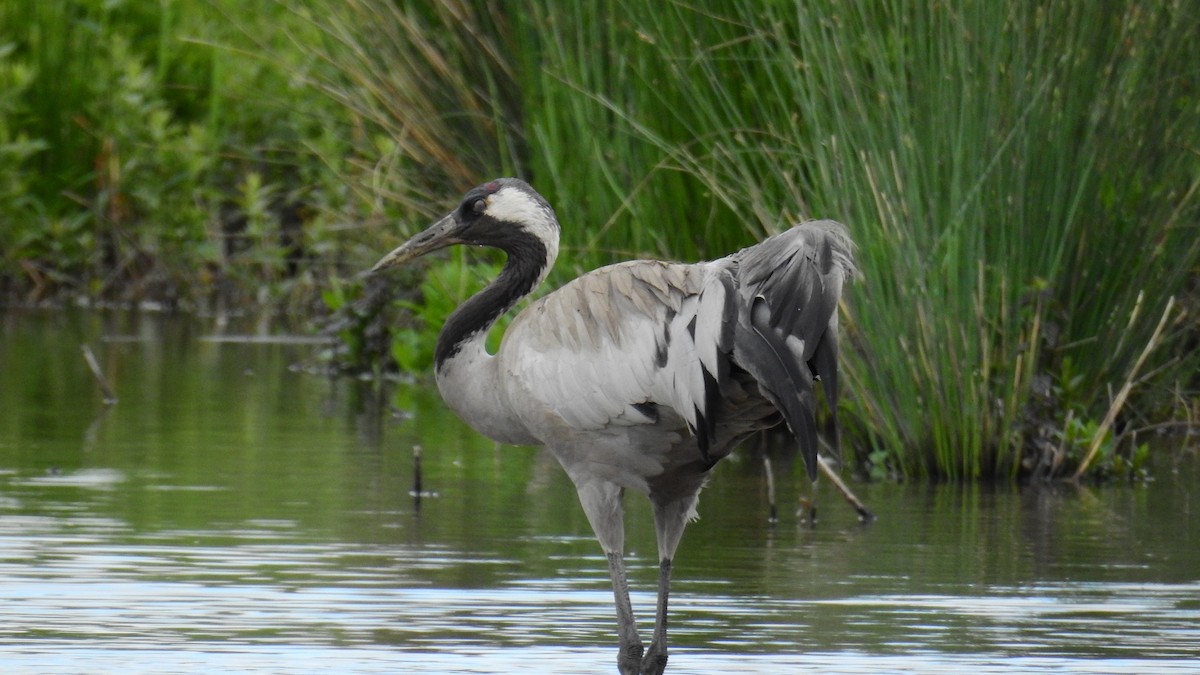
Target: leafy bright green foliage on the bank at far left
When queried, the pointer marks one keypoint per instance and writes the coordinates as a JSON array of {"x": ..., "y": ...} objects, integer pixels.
[{"x": 160, "y": 151}]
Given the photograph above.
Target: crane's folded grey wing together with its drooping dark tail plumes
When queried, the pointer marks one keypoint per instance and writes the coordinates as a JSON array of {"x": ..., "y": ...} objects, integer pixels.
[{"x": 611, "y": 345}]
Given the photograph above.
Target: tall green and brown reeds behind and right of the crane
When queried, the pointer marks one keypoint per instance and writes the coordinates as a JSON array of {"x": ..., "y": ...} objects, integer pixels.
[{"x": 1017, "y": 177}]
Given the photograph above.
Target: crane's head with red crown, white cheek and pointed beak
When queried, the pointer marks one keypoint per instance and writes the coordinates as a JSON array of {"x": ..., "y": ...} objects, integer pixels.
[{"x": 505, "y": 214}]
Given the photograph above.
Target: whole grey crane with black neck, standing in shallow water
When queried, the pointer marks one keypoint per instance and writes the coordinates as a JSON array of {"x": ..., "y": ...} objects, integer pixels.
[{"x": 643, "y": 375}]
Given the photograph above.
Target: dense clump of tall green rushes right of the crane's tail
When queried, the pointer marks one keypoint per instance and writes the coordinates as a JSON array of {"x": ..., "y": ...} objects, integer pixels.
[{"x": 1021, "y": 181}]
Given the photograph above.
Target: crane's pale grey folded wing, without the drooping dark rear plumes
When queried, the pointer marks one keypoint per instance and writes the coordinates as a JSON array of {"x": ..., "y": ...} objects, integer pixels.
[{"x": 601, "y": 349}]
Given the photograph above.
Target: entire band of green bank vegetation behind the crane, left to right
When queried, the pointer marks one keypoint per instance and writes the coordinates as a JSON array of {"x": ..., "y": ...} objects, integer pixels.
[{"x": 1022, "y": 182}]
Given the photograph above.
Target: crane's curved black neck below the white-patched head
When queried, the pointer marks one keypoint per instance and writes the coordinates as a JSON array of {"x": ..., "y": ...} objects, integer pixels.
[{"x": 527, "y": 259}]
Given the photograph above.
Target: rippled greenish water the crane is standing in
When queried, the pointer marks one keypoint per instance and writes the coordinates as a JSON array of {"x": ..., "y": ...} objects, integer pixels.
[{"x": 235, "y": 515}]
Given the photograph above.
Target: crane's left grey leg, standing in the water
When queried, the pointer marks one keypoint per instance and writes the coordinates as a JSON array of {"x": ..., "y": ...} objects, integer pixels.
[{"x": 603, "y": 505}]
